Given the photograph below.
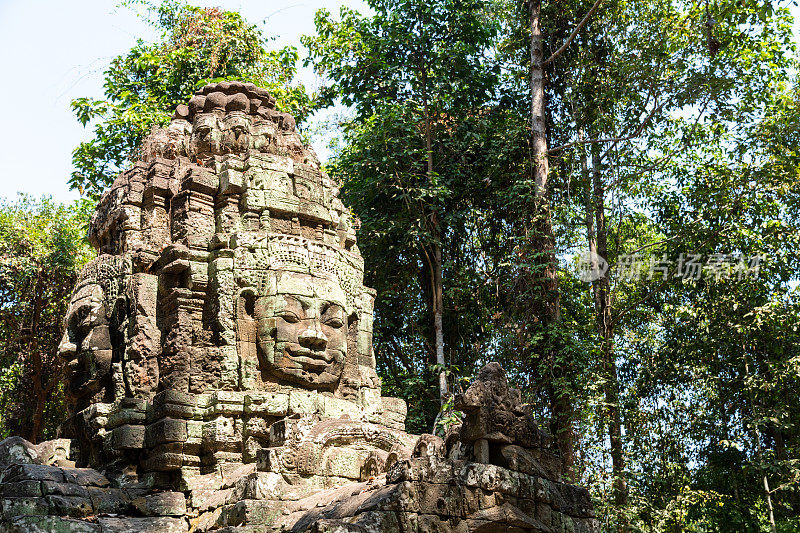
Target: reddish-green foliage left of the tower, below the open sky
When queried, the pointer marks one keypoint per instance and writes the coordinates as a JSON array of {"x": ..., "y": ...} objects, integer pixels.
[{"x": 42, "y": 248}]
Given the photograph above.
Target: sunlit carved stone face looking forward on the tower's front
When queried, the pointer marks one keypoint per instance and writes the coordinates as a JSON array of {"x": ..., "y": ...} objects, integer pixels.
[{"x": 302, "y": 331}]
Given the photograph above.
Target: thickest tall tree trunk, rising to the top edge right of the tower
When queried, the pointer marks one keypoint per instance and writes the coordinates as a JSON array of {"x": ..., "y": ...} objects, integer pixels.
[{"x": 546, "y": 280}]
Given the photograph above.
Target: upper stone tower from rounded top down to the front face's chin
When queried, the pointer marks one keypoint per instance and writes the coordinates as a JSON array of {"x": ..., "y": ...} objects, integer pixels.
[{"x": 234, "y": 231}]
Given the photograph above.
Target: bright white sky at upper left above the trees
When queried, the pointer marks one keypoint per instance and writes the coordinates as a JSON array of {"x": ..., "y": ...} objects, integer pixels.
[{"x": 54, "y": 51}]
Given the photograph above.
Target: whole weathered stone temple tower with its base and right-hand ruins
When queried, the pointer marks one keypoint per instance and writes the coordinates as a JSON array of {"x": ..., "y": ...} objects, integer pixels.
[{"x": 220, "y": 370}]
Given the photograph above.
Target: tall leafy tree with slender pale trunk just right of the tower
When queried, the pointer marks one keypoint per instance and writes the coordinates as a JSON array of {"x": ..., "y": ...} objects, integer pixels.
[{"x": 414, "y": 70}]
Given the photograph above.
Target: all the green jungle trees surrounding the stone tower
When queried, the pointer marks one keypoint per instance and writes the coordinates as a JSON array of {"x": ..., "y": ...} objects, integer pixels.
[{"x": 602, "y": 195}]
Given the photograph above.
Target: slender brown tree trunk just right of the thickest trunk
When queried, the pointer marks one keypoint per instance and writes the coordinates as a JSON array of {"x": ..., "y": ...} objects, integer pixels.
[{"x": 605, "y": 327}]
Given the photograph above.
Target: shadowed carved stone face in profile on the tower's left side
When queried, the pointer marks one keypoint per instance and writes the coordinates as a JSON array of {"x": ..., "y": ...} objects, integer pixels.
[{"x": 86, "y": 345}]
